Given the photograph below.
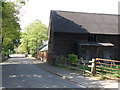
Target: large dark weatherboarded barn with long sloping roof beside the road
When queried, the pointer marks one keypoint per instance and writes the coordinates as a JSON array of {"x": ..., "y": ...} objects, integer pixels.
[{"x": 89, "y": 35}]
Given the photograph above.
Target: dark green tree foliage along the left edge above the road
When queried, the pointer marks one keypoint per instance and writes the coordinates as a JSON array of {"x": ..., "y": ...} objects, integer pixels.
[{"x": 10, "y": 27}]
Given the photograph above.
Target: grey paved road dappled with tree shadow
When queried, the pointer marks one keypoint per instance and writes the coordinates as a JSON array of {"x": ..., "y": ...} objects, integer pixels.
[{"x": 20, "y": 72}]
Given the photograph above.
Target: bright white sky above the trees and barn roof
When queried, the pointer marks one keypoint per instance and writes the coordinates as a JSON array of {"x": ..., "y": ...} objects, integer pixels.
[{"x": 40, "y": 9}]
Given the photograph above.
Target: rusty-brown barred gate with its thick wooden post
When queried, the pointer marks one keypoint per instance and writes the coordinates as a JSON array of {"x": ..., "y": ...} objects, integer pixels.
[{"x": 104, "y": 65}]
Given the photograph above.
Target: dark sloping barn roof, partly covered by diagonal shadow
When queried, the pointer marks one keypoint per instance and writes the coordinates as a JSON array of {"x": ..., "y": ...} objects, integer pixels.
[{"x": 78, "y": 22}]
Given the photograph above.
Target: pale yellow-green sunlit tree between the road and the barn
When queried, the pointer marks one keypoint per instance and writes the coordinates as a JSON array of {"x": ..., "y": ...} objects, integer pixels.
[{"x": 32, "y": 38}]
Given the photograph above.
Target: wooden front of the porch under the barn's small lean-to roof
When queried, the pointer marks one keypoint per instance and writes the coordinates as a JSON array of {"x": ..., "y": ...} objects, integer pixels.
[{"x": 89, "y": 52}]
